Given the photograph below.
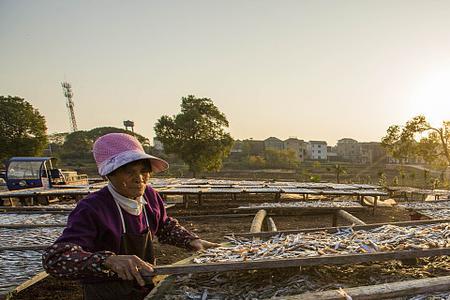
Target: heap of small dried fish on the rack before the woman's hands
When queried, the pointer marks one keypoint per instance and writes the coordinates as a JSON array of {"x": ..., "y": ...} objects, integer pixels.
[{"x": 344, "y": 241}]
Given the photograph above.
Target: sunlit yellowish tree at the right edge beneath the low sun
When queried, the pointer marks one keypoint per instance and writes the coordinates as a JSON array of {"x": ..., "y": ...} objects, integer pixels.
[{"x": 419, "y": 138}]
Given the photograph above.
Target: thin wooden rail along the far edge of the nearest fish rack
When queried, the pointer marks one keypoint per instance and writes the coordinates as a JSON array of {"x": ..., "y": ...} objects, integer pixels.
[{"x": 335, "y": 229}]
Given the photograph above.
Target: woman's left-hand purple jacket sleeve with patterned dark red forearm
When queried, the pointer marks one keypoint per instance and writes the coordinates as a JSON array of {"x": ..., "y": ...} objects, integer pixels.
[{"x": 70, "y": 257}]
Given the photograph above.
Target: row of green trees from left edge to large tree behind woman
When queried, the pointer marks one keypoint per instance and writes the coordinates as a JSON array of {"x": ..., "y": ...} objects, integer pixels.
[{"x": 197, "y": 134}]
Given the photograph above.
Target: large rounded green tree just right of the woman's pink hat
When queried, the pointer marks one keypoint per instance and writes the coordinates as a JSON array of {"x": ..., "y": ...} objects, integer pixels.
[{"x": 197, "y": 134}]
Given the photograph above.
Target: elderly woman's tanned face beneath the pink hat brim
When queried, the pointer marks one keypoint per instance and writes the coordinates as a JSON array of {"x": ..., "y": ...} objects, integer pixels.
[{"x": 131, "y": 180}]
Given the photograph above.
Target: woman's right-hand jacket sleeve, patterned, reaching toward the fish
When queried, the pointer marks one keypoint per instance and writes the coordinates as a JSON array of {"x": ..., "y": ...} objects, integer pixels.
[{"x": 170, "y": 231}]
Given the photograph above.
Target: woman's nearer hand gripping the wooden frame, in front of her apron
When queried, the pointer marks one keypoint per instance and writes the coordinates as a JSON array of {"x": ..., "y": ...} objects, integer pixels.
[{"x": 128, "y": 267}]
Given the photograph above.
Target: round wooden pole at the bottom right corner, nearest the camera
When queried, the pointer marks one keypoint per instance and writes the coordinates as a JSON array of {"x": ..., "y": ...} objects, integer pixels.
[{"x": 381, "y": 291}]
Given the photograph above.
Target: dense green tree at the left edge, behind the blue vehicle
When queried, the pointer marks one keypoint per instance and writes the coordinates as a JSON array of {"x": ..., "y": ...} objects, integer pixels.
[{"x": 22, "y": 128}]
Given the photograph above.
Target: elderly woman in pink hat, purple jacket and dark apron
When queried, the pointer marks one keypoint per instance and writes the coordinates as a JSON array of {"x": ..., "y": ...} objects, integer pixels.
[{"x": 108, "y": 240}]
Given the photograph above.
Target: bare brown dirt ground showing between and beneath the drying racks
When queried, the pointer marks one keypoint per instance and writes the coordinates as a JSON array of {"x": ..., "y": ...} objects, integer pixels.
[{"x": 212, "y": 229}]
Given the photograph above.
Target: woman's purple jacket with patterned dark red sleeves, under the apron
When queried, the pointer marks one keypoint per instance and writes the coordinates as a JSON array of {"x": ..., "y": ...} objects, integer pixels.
[{"x": 94, "y": 230}]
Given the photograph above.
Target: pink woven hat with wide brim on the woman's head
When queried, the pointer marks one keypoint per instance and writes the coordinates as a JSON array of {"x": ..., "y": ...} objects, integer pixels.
[{"x": 114, "y": 150}]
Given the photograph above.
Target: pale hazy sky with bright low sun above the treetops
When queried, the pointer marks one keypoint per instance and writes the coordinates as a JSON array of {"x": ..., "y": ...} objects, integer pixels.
[{"x": 317, "y": 70}]
